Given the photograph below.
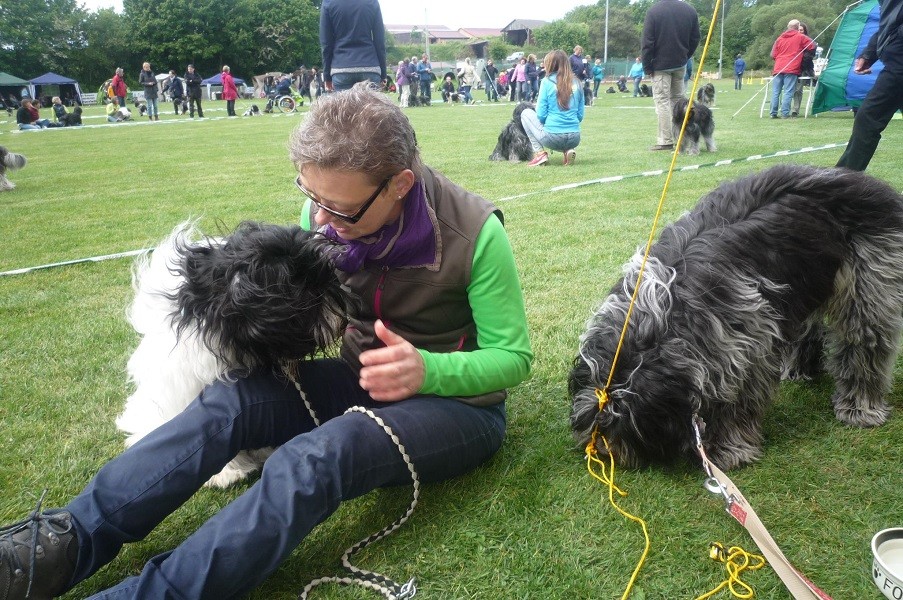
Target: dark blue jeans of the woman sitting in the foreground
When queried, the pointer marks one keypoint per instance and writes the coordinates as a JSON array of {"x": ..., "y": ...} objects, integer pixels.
[{"x": 303, "y": 482}]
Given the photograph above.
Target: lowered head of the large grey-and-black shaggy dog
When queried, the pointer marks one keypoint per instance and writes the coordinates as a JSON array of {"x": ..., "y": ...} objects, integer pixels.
[{"x": 646, "y": 416}]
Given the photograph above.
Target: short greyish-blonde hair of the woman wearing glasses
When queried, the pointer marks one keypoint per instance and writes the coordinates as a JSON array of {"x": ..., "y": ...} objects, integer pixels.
[{"x": 360, "y": 130}]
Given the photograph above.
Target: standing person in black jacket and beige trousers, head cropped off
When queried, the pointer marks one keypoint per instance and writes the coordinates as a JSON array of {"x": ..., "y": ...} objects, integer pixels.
[{"x": 670, "y": 37}]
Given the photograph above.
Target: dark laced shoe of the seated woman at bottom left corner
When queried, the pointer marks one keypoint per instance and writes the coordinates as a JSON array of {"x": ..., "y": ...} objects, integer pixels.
[{"x": 37, "y": 556}]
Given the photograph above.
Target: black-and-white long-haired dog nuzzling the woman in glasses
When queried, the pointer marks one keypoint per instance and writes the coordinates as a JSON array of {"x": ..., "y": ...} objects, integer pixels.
[{"x": 215, "y": 308}]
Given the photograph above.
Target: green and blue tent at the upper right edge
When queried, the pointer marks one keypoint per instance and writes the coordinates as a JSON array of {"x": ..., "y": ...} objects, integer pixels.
[{"x": 839, "y": 88}]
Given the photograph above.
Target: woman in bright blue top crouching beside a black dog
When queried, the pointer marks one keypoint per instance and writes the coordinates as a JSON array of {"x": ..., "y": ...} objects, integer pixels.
[{"x": 555, "y": 123}]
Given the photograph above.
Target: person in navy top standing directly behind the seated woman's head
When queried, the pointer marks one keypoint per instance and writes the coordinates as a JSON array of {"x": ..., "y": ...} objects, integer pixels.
[{"x": 353, "y": 44}]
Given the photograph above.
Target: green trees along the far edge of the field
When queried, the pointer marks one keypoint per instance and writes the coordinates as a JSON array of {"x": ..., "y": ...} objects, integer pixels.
[{"x": 254, "y": 36}]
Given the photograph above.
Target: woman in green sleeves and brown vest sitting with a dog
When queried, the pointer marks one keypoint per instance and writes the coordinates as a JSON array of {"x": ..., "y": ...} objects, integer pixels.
[{"x": 430, "y": 354}]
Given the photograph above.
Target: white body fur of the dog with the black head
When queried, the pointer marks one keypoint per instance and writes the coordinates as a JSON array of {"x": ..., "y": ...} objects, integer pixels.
[{"x": 168, "y": 372}]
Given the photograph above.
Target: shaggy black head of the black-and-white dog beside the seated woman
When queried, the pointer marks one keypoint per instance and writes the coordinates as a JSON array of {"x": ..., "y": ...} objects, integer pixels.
[{"x": 265, "y": 295}]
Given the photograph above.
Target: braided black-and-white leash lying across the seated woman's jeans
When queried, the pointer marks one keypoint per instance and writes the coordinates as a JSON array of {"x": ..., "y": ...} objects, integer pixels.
[{"x": 357, "y": 576}]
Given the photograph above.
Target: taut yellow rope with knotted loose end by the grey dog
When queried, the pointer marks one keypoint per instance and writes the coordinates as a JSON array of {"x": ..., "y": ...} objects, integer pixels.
[{"x": 608, "y": 476}]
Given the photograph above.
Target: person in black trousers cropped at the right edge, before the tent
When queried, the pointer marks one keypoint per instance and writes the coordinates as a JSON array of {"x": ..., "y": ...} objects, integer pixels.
[{"x": 886, "y": 96}]
